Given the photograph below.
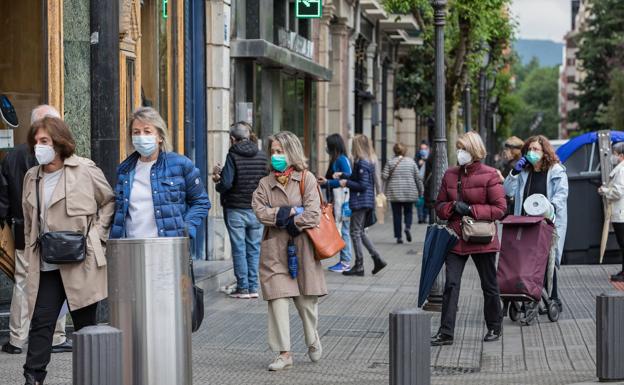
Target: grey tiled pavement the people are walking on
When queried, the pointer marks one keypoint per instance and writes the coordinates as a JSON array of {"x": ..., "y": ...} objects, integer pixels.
[{"x": 231, "y": 347}]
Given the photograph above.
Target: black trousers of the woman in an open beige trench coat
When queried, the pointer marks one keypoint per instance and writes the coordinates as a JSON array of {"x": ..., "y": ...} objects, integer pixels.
[{"x": 50, "y": 299}]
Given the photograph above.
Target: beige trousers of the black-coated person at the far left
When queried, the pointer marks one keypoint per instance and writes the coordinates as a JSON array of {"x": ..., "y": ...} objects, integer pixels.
[{"x": 19, "y": 322}]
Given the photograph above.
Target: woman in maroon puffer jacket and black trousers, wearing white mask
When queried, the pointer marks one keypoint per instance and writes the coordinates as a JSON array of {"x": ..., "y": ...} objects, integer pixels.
[{"x": 482, "y": 198}]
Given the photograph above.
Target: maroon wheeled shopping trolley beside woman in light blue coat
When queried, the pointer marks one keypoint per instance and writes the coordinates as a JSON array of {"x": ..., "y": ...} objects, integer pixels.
[{"x": 527, "y": 251}]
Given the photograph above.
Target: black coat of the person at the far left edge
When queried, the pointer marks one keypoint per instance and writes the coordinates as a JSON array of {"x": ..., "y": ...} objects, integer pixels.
[{"x": 14, "y": 167}]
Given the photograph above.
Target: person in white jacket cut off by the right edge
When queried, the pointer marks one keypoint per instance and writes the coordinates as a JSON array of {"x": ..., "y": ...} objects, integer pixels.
[{"x": 614, "y": 193}]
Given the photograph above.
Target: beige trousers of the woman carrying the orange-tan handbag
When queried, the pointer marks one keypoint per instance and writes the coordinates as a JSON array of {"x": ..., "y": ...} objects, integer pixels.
[{"x": 279, "y": 321}]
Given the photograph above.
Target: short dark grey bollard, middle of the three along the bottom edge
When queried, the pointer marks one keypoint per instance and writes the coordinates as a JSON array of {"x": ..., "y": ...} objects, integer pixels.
[{"x": 410, "y": 350}]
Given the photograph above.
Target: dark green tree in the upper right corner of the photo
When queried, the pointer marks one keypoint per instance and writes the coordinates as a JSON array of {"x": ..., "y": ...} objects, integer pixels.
[{"x": 601, "y": 50}]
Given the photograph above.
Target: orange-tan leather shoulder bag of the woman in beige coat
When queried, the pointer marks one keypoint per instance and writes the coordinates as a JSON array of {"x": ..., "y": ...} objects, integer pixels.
[{"x": 324, "y": 236}]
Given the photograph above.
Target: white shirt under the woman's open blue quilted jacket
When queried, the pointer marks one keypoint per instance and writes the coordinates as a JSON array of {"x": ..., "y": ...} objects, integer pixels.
[{"x": 140, "y": 222}]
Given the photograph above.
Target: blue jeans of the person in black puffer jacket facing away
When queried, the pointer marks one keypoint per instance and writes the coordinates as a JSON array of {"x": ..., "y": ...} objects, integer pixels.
[{"x": 245, "y": 235}]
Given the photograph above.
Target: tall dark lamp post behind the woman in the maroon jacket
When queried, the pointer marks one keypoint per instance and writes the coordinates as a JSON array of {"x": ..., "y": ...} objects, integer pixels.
[{"x": 440, "y": 161}]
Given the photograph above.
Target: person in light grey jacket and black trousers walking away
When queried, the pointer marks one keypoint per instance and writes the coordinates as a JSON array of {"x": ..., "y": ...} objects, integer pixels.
[{"x": 404, "y": 186}]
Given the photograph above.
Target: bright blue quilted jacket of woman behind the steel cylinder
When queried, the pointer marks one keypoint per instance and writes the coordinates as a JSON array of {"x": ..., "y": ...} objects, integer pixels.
[{"x": 180, "y": 199}]
